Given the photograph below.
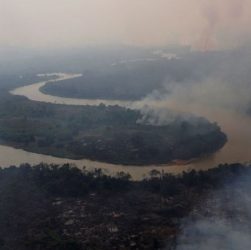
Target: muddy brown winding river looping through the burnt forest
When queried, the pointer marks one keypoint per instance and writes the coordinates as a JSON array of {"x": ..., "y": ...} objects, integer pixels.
[{"x": 236, "y": 126}]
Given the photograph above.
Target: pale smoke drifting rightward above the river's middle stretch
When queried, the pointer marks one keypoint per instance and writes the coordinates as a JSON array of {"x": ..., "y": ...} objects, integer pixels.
[{"x": 227, "y": 87}]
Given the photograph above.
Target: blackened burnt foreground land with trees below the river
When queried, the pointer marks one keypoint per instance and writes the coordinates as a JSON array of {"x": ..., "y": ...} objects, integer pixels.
[{"x": 62, "y": 207}]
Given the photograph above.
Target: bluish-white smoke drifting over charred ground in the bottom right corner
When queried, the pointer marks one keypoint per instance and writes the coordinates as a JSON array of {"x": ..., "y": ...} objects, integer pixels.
[{"x": 222, "y": 222}]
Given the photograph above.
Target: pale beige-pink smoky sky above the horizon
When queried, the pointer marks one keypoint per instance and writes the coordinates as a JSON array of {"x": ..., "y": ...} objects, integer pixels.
[{"x": 75, "y": 23}]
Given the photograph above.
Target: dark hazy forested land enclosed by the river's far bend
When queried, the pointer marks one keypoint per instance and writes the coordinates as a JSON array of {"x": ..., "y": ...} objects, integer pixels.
[{"x": 131, "y": 81}]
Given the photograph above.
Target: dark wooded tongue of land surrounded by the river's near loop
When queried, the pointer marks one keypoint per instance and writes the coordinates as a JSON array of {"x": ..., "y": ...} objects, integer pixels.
[{"x": 111, "y": 134}]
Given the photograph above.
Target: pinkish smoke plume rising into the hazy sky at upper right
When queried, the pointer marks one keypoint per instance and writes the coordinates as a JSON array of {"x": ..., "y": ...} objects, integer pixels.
[{"x": 225, "y": 23}]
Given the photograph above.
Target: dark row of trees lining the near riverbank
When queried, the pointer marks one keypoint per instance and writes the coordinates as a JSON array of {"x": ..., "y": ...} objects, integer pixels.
[{"x": 69, "y": 181}]
